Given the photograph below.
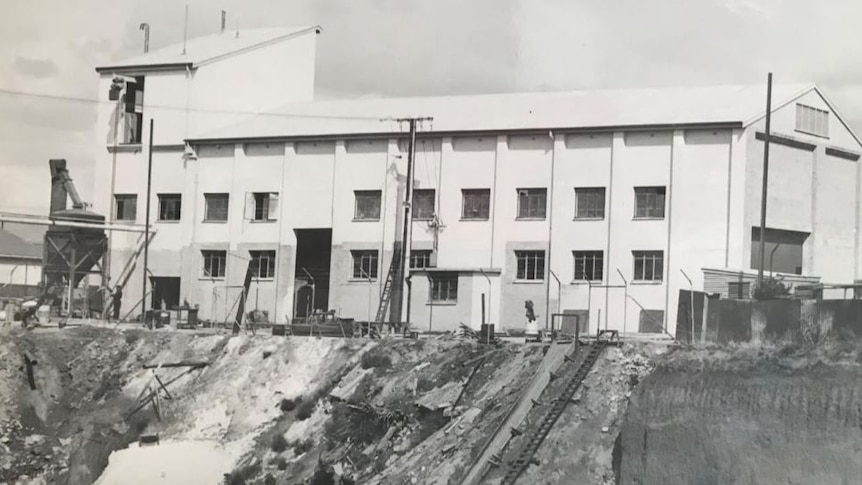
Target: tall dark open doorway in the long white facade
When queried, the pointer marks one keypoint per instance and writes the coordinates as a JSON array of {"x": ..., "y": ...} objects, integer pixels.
[{"x": 311, "y": 283}]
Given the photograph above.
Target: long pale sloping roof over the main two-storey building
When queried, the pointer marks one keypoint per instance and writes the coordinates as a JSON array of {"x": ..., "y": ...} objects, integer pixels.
[{"x": 738, "y": 105}]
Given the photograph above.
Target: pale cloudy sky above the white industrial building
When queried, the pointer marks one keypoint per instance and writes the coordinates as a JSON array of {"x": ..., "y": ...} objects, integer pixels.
[{"x": 414, "y": 47}]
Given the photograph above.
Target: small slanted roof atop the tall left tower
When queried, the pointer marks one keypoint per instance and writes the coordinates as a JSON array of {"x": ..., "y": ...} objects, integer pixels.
[{"x": 206, "y": 49}]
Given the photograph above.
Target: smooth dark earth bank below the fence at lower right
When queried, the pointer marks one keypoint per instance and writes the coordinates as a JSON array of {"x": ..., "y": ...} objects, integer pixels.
[{"x": 747, "y": 415}]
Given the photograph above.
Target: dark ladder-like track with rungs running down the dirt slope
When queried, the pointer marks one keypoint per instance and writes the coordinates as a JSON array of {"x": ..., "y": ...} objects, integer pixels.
[{"x": 537, "y": 435}]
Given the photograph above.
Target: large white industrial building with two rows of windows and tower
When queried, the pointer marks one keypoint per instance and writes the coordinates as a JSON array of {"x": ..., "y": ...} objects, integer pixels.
[{"x": 597, "y": 204}]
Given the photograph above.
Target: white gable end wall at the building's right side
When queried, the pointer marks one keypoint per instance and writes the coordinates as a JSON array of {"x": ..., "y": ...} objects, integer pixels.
[{"x": 807, "y": 191}]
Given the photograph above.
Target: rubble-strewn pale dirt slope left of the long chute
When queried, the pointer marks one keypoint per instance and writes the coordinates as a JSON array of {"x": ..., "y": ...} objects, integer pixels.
[{"x": 268, "y": 410}]
